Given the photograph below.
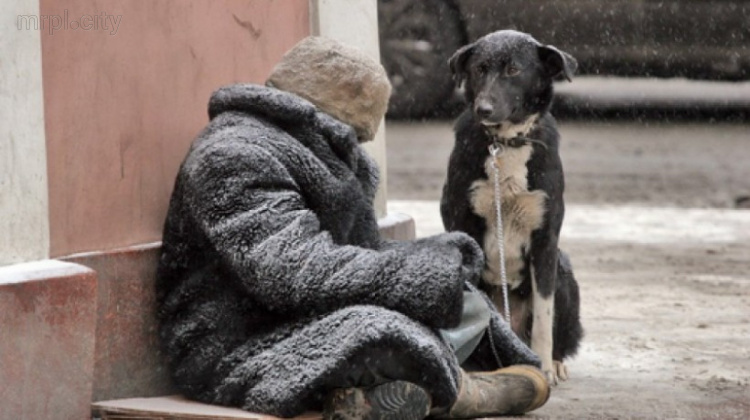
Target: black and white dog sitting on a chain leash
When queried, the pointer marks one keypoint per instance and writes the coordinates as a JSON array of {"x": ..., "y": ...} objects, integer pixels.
[{"x": 508, "y": 79}]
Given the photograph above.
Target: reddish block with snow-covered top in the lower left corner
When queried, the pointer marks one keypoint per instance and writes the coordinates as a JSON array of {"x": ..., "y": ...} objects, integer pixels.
[{"x": 47, "y": 338}]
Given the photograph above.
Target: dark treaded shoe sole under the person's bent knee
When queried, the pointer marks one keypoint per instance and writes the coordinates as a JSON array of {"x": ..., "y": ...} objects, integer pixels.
[{"x": 398, "y": 400}]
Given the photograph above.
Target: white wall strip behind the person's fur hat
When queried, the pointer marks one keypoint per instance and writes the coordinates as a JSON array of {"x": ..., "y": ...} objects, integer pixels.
[{"x": 355, "y": 22}]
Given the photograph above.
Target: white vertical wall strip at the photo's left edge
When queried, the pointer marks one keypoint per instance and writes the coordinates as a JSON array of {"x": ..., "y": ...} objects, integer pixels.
[{"x": 24, "y": 230}]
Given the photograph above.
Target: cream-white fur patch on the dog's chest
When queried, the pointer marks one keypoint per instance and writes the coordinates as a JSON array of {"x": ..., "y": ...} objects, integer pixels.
[{"x": 522, "y": 212}]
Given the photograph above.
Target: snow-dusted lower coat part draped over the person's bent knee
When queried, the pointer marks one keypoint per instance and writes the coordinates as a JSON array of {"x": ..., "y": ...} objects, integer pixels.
[{"x": 359, "y": 346}]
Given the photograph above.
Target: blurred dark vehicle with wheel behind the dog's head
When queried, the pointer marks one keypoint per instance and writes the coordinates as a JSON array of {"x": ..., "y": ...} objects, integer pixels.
[{"x": 697, "y": 40}]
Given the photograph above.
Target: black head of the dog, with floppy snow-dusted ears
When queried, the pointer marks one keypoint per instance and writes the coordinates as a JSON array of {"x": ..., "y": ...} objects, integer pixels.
[{"x": 508, "y": 76}]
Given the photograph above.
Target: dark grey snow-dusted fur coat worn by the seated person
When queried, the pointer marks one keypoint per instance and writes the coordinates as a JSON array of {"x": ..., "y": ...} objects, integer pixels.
[{"x": 273, "y": 275}]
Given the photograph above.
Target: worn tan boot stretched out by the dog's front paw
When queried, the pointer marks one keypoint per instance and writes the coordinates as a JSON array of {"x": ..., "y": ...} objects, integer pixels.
[{"x": 509, "y": 391}]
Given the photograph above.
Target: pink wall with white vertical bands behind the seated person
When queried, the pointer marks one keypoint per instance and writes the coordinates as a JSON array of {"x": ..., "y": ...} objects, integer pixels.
[{"x": 123, "y": 99}]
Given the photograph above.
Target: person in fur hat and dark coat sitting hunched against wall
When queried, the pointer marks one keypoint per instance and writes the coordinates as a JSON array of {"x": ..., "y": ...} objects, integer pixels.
[{"x": 275, "y": 291}]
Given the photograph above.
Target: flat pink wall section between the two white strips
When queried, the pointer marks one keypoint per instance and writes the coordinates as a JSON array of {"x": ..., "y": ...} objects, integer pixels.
[{"x": 121, "y": 109}]
